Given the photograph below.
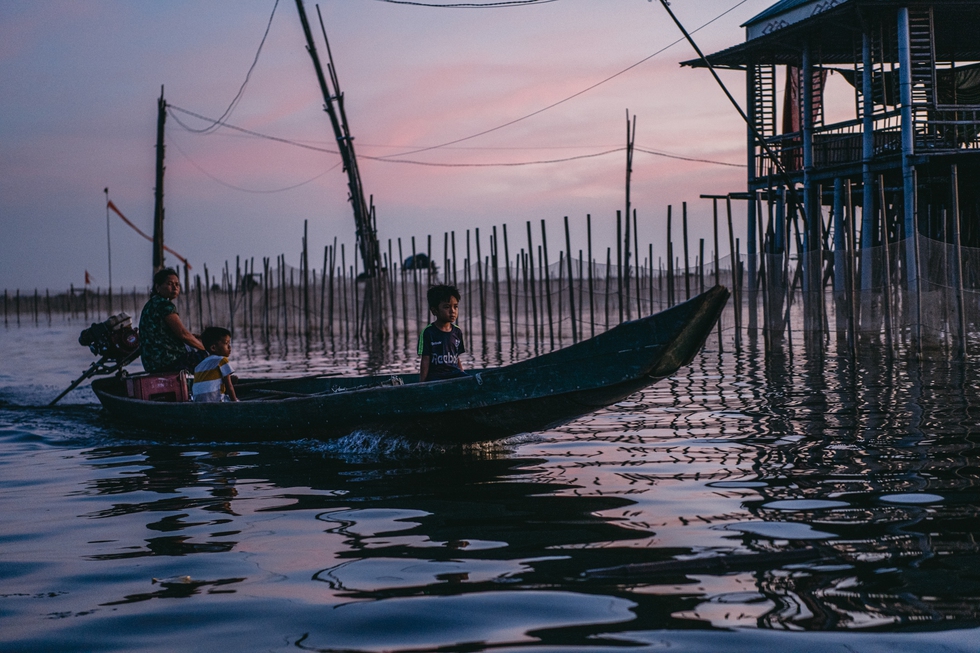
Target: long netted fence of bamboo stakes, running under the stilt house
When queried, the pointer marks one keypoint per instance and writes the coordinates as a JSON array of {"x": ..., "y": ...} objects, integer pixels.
[{"x": 526, "y": 297}]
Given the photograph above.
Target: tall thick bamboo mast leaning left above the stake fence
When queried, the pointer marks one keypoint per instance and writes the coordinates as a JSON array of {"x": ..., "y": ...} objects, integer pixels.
[{"x": 333, "y": 104}]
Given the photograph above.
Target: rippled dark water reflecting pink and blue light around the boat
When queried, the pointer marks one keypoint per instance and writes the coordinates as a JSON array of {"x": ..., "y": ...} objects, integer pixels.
[{"x": 801, "y": 502}]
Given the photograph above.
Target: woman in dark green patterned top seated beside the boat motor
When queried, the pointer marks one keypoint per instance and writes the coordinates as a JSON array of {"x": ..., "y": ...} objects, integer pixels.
[{"x": 167, "y": 345}]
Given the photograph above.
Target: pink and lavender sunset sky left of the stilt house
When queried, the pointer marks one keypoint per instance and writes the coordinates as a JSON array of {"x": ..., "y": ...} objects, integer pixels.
[{"x": 80, "y": 82}]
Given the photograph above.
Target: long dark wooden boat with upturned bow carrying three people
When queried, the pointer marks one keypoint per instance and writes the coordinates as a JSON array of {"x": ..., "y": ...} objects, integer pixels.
[{"x": 488, "y": 404}]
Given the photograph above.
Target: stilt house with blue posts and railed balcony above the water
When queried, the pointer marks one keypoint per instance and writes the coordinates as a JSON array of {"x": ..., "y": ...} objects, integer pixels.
[{"x": 865, "y": 114}]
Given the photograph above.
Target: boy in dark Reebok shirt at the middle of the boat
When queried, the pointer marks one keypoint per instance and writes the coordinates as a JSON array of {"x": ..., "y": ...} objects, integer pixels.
[{"x": 441, "y": 343}]
